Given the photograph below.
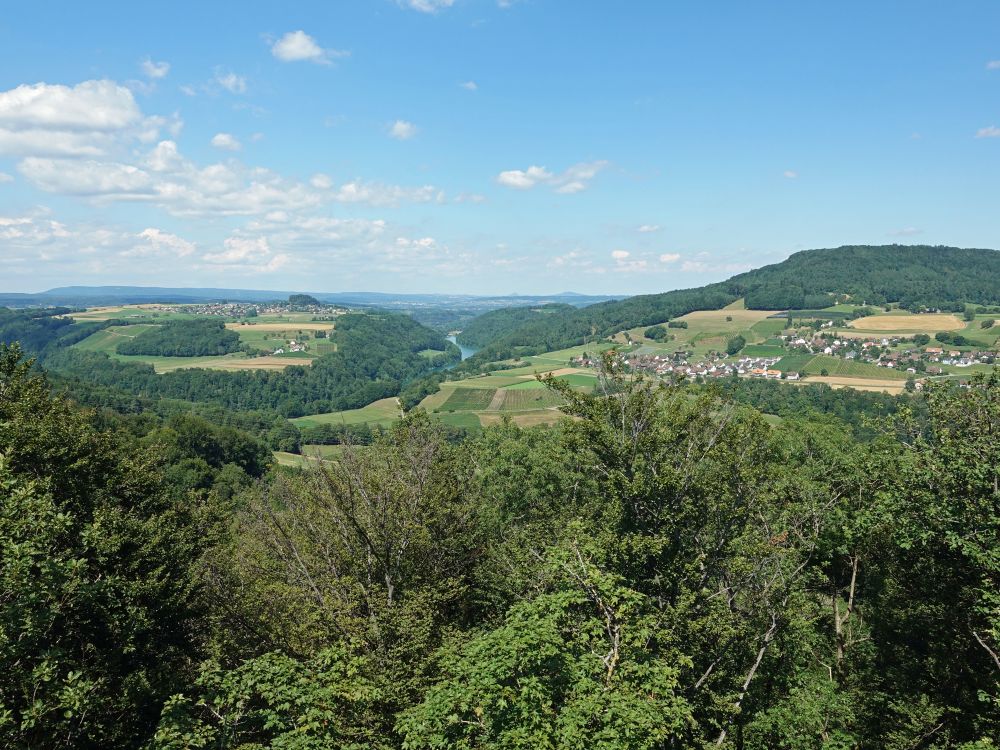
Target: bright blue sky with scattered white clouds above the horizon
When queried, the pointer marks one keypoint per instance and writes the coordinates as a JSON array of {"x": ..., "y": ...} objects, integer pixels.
[{"x": 479, "y": 146}]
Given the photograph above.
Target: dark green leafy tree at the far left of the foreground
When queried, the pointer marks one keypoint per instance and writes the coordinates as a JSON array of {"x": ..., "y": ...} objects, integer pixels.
[{"x": 97, "y": 577}]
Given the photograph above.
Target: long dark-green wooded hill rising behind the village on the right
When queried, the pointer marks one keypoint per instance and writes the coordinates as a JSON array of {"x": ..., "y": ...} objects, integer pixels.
[{"x": 914, "y": 276}]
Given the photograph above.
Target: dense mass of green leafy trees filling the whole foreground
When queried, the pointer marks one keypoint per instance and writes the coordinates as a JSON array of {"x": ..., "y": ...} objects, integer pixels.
[{"x": 667, "y": 570}]
